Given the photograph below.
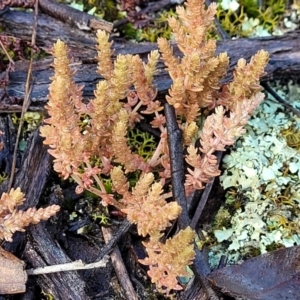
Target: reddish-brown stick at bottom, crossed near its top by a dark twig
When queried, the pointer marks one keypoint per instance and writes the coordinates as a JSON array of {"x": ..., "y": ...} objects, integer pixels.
[{"x": 119, "y": 267}]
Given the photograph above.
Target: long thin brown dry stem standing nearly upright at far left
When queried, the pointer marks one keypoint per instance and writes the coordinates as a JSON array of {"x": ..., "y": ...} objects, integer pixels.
[{"x": 26, "y": 102}]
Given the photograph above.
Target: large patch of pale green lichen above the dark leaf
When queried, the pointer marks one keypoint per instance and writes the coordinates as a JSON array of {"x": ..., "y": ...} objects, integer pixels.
[{"x": 266, "y": 171}]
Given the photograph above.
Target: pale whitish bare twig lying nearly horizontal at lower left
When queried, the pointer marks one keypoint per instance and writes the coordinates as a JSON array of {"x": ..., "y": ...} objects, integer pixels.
[{"x": 73, "y": 266}]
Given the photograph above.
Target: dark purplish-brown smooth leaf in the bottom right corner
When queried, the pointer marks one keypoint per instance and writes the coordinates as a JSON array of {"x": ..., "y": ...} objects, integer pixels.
[{"x": 271, "y": 276}]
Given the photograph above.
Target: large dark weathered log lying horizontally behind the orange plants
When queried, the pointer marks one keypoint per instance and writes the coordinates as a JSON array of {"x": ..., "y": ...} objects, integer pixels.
[{"x": 284, "y": 57}]
